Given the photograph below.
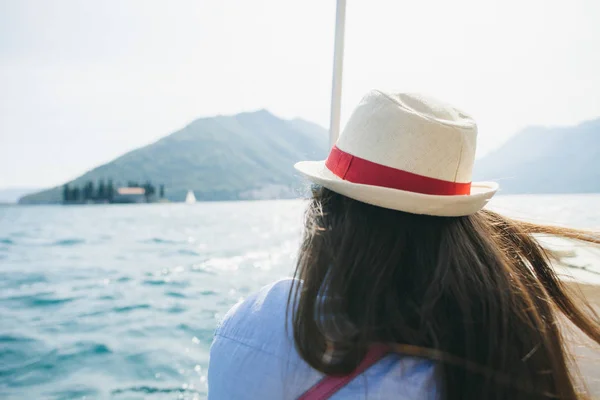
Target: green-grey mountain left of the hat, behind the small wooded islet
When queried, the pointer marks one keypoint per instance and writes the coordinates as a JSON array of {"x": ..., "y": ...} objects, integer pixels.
[{"x": 244, "y": 156}]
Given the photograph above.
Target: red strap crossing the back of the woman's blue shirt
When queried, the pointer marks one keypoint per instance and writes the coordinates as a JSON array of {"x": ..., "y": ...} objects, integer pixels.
[{"x": 327, "y": 386}]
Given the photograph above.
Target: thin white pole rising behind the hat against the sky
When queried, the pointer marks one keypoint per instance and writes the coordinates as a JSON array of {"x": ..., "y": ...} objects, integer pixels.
[{"x": 338, "y": 63}]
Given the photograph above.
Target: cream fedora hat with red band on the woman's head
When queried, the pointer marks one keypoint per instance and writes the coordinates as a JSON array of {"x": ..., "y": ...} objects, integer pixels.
[{"x": 405, "y": 152}]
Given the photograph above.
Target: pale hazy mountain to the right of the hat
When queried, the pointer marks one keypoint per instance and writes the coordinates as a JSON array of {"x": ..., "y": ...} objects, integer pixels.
[{"x": 546, "y": 160}]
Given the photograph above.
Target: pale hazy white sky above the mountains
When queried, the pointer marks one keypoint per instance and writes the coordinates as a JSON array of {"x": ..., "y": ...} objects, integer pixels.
[{"x": 81, "y": 82}]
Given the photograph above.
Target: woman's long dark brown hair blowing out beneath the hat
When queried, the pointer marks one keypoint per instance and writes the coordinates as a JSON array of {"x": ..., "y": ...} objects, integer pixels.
[{"x": 477, "y": 294}]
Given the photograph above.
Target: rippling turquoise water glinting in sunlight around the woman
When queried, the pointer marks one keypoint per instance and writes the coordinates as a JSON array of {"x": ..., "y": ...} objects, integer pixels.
[{"x": 121, "y": 301}]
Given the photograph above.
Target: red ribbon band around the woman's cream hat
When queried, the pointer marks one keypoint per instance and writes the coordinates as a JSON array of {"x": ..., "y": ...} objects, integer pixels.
[{"x": 357, "y": 170}]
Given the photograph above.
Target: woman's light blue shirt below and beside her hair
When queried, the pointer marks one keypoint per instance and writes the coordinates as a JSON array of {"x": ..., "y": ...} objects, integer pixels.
[{"x": 253, "y": 357}]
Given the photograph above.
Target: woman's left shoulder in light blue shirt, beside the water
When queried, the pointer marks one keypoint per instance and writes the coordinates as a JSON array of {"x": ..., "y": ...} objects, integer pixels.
[{"x": 253, "y": 346}]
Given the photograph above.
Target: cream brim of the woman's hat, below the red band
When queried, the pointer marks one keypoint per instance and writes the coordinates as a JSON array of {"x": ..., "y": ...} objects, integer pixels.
[{"x": 401, "y": 200}]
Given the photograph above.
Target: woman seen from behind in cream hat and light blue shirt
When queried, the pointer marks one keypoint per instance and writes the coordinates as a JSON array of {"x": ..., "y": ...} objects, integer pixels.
[{"x": 406, "y": 288}]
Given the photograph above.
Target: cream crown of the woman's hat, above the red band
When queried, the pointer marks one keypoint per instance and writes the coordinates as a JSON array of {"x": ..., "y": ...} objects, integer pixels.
[{"x": 412, "y": 133}]
